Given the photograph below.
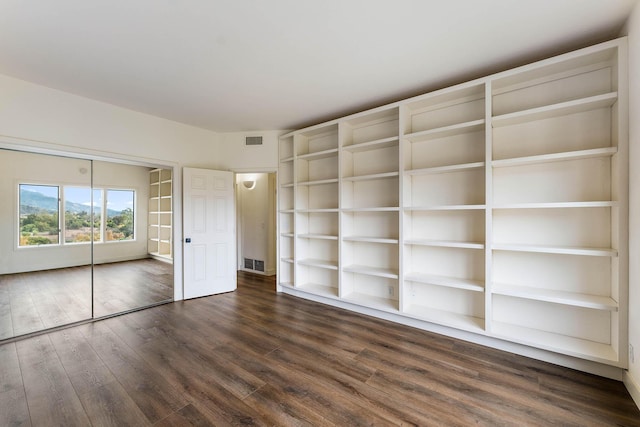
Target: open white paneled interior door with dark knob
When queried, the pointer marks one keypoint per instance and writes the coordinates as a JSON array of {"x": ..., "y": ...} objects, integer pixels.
[{"x": 209, "y": 232}]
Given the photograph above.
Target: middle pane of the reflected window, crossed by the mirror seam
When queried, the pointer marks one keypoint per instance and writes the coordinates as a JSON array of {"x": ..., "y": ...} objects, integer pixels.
[{"x": 77, "y": 214}]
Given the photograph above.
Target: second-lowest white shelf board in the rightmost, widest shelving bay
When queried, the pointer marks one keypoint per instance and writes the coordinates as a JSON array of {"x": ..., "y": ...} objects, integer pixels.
[{"x": 559, "y": 297}]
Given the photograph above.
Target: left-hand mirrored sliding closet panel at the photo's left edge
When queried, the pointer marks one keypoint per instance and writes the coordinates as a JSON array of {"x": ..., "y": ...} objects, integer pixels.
[{"x": 45, "y": 241}]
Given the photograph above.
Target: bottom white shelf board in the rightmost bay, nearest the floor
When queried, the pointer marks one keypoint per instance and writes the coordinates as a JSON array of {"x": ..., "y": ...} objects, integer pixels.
[{"x": 555, "y": 342}]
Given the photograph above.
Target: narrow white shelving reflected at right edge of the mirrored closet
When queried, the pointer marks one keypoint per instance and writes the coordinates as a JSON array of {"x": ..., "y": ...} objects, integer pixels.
[{"x": 160, "y": 225}]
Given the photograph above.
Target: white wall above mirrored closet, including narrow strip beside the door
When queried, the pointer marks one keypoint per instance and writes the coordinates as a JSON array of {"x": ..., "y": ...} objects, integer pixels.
[{"x": 38, "y": 118}]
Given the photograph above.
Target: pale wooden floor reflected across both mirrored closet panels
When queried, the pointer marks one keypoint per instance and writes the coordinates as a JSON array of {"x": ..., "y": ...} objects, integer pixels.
[{"x": 39, "y": 300}]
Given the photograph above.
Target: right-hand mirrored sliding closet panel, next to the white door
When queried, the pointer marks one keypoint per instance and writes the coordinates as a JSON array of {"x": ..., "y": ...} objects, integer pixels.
[{"x": 133, "y": 266}]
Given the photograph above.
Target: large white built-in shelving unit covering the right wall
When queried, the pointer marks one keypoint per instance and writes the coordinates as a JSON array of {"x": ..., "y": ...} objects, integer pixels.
[{"x": 497, "y": 207}]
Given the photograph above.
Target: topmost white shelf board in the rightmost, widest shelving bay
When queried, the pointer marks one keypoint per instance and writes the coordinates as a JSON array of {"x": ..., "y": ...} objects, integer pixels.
[{"x": 555, "y": 110}]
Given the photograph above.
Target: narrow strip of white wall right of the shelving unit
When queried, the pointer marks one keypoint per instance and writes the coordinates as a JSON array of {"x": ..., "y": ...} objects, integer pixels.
[{"x": 632, "y": 378}]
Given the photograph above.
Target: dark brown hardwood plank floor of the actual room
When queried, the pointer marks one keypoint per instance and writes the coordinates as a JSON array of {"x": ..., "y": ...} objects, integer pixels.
[{"x": 253, "y": 357}]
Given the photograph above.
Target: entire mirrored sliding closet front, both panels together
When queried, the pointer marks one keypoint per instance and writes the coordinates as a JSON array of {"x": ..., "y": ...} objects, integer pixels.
[{"x": 75, "y": 240}]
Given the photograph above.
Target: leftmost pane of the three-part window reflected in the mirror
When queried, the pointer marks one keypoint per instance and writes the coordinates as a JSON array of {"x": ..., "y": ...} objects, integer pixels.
[{"x": 39, "y": 215}]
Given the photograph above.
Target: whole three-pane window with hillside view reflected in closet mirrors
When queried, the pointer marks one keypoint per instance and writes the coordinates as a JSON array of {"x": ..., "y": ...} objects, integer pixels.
[{"x": 41, "y": 215}]
